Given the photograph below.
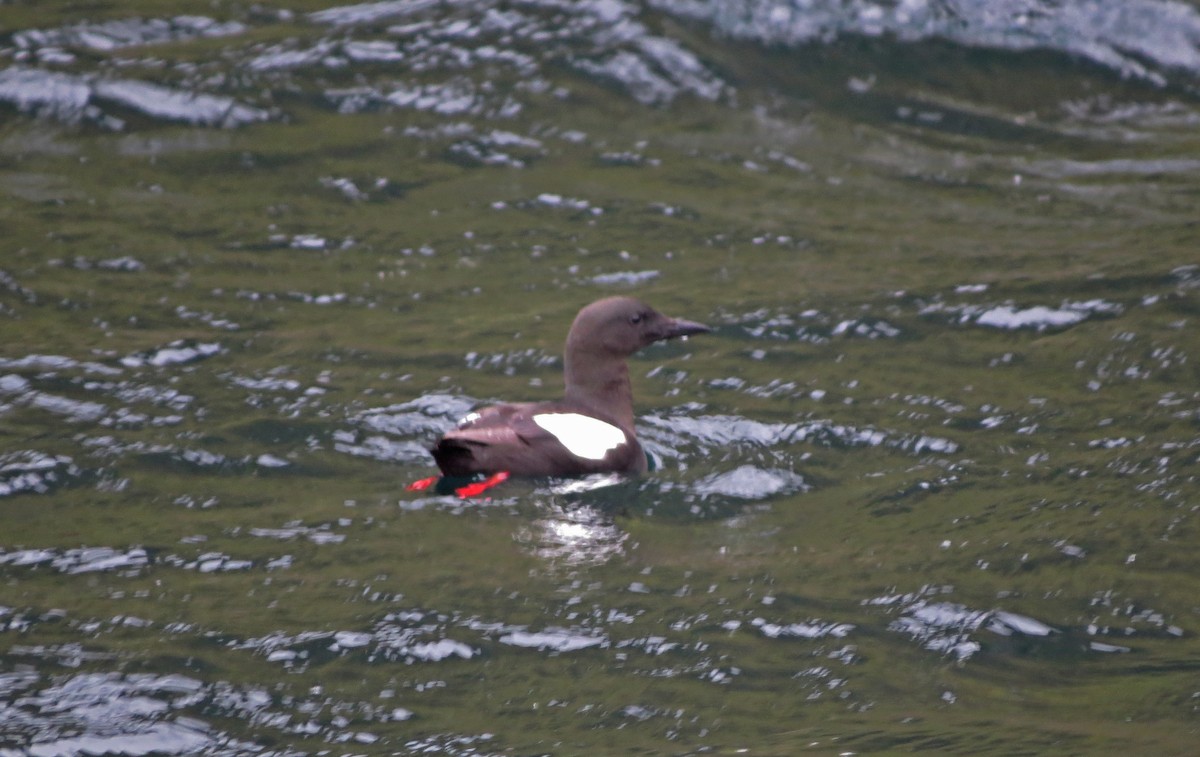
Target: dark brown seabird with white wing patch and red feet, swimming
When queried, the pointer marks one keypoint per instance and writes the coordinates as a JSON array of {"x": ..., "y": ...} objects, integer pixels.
[{"x": 591, "y": 430}]
